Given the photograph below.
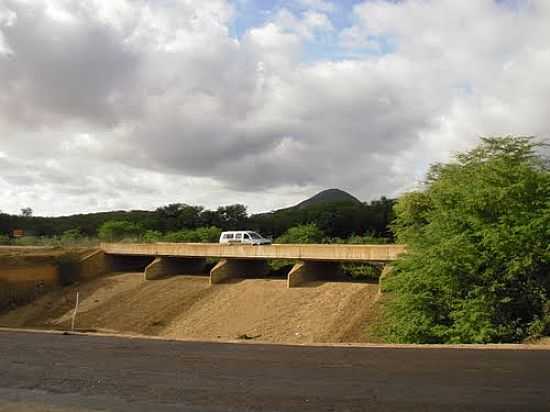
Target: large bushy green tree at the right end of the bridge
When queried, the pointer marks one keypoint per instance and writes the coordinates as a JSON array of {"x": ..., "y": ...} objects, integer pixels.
[{"x": 478, "y": 262}]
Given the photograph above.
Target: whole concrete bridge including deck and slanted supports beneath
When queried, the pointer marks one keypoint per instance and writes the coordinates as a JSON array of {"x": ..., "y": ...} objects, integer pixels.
[{"x": 311, "y": 261}]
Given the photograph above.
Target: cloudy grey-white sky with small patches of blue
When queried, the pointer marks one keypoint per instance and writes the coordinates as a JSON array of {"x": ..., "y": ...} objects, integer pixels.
[{"x": 133, "y": 104}]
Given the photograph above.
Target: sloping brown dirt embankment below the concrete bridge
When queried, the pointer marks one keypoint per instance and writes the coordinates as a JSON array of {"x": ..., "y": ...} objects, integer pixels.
[{"x": 186, "y": 307}]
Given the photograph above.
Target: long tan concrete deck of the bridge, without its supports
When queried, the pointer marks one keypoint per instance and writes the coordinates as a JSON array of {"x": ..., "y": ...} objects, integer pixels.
[{"x": 315, "y": 252}]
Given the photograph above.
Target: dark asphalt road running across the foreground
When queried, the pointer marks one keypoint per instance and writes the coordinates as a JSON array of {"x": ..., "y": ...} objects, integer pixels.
[{"x": 65, "y": 373}]
